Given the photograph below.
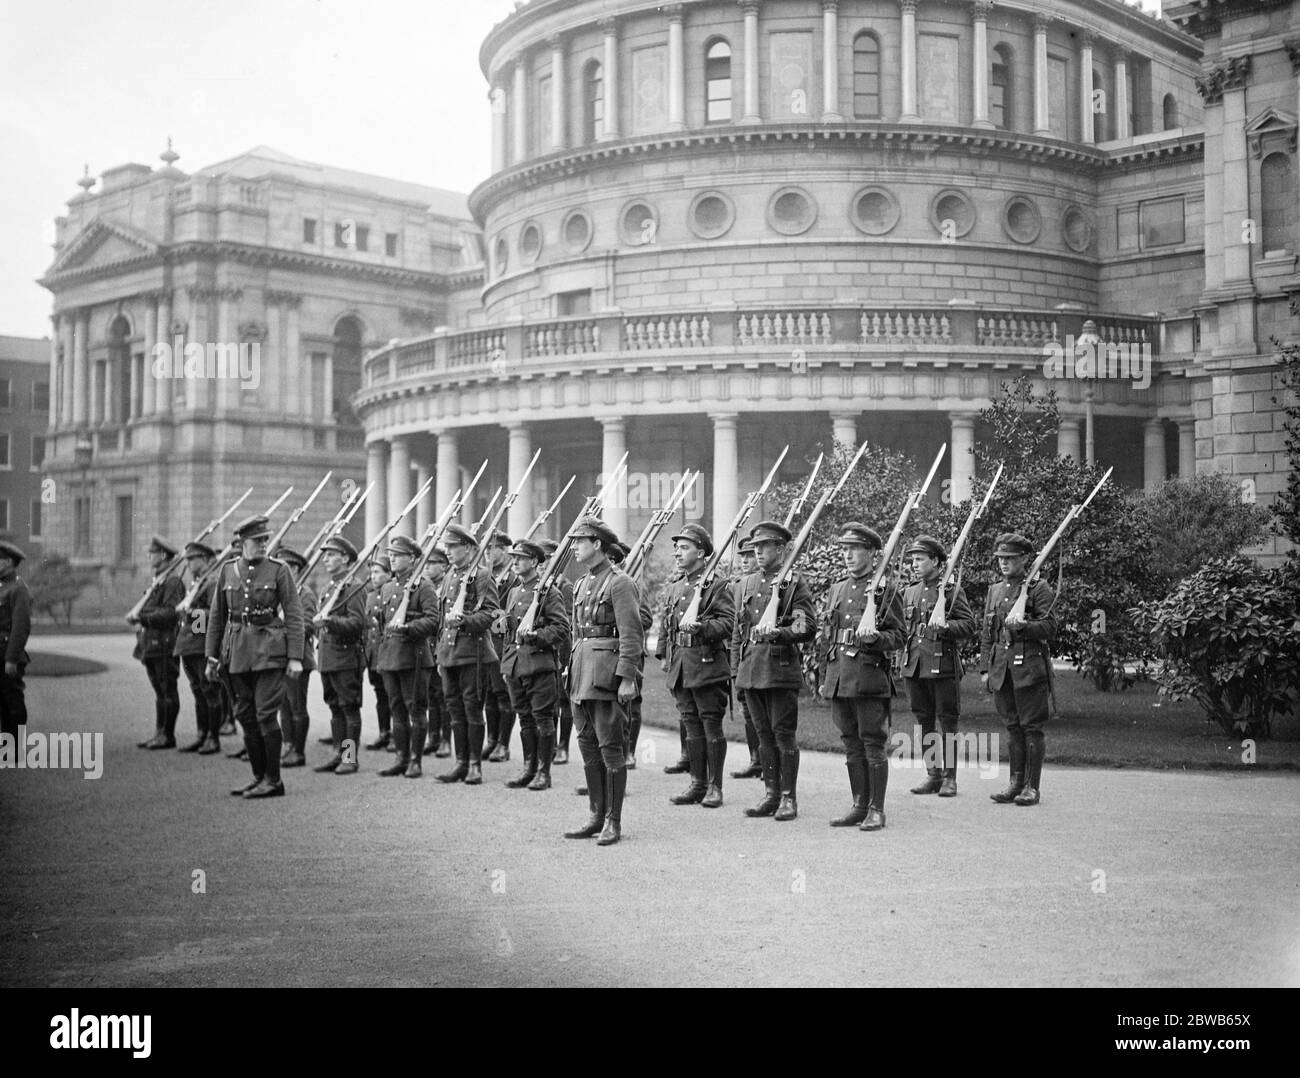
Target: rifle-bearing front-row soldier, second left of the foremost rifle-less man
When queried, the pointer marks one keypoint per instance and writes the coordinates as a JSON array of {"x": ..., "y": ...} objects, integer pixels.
[{"x": 465, "y": 647}]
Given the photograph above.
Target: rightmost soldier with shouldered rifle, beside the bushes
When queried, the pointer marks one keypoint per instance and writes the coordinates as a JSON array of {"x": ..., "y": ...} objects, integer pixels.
[{"x": 1016, "y": 665}]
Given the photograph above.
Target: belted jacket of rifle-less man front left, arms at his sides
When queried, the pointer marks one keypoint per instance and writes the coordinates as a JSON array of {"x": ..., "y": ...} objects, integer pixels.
[{"x": 257, "y": 617}]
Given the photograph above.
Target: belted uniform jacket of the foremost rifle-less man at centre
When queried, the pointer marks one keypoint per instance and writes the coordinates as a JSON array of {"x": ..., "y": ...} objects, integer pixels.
[{"x": 609, "y": 639}]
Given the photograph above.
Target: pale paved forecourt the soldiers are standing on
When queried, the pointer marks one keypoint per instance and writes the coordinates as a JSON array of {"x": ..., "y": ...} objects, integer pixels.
[{"x": 1119, "y": 878}]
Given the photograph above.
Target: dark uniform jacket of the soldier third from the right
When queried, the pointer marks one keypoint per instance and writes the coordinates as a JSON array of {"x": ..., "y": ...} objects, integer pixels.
[{"x": 848, "y": 666}]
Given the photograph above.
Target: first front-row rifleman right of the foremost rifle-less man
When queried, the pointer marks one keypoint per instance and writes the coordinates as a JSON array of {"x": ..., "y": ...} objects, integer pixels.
[{"x": 696, "y": 638}]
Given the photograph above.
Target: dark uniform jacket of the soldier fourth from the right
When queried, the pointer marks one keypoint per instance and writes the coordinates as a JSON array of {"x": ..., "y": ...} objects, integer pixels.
[{"x": 775, "y": 665}]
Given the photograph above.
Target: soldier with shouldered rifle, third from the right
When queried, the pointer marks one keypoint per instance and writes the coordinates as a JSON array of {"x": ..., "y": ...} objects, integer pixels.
[{"x": 856, "y": 678}]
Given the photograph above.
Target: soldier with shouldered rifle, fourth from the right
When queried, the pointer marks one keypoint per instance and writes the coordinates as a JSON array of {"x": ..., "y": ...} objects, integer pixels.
[{"x": 769, "y": 669}]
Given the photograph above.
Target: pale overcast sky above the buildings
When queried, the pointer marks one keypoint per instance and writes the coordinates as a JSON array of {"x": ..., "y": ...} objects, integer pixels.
[{"x": 384, "y": 86}]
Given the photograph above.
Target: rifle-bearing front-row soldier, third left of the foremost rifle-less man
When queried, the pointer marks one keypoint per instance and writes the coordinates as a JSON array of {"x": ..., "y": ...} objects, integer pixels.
[{"x": 406, "y": 656}]
